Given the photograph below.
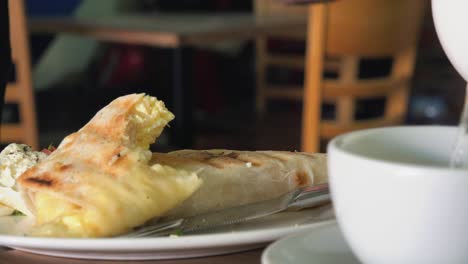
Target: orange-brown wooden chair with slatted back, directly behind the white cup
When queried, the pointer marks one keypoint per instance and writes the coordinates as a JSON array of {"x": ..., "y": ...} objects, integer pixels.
[{"x": 352, "y": 30}]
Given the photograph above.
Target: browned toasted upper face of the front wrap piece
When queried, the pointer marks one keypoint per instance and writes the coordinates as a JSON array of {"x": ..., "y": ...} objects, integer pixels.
[{"x": 54, "y": 174}]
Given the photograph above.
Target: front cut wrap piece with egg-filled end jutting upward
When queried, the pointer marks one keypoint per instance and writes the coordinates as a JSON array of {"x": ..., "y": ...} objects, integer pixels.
[{"x": 98, "y": 182}]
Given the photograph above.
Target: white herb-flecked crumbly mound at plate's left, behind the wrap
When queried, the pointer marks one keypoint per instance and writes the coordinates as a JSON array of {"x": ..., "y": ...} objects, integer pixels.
[{"x": 14, "y": 160}]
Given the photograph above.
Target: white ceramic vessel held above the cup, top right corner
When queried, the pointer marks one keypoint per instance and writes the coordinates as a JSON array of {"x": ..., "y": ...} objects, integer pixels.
[{"x": 451, "y": 23}]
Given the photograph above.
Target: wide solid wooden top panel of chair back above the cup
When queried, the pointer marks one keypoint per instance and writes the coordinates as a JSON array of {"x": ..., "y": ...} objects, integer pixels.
[{"x": 368, "y": 28}]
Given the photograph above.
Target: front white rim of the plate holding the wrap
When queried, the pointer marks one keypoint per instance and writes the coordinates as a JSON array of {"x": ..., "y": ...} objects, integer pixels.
[{"x": 198, "y": 241}]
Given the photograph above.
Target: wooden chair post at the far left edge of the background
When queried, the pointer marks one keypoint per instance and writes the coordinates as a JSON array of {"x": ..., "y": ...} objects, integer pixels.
[{"x": 20, "y": 91}]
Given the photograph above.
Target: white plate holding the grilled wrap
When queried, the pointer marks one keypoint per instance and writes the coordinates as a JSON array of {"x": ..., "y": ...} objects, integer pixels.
[{"x": 236, "y": 238}]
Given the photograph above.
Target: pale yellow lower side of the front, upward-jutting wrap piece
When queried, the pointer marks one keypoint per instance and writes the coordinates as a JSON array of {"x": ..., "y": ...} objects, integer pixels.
[{"x": 152, "y": 194}]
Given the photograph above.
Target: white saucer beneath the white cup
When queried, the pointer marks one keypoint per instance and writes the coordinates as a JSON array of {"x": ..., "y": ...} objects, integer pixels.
[{"x": 323, "y": 245}]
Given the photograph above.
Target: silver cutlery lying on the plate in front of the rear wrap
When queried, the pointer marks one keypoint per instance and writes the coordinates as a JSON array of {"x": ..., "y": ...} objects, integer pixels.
[{"x": 297, "y": 199}]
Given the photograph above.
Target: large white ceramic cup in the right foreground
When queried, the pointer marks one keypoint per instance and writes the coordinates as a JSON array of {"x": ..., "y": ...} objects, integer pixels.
[{"x": 395, "y": 198}]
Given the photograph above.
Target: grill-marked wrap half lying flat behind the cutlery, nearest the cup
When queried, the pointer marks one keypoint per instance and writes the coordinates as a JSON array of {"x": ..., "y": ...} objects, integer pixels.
[{"x": 233, "y": 178}]
